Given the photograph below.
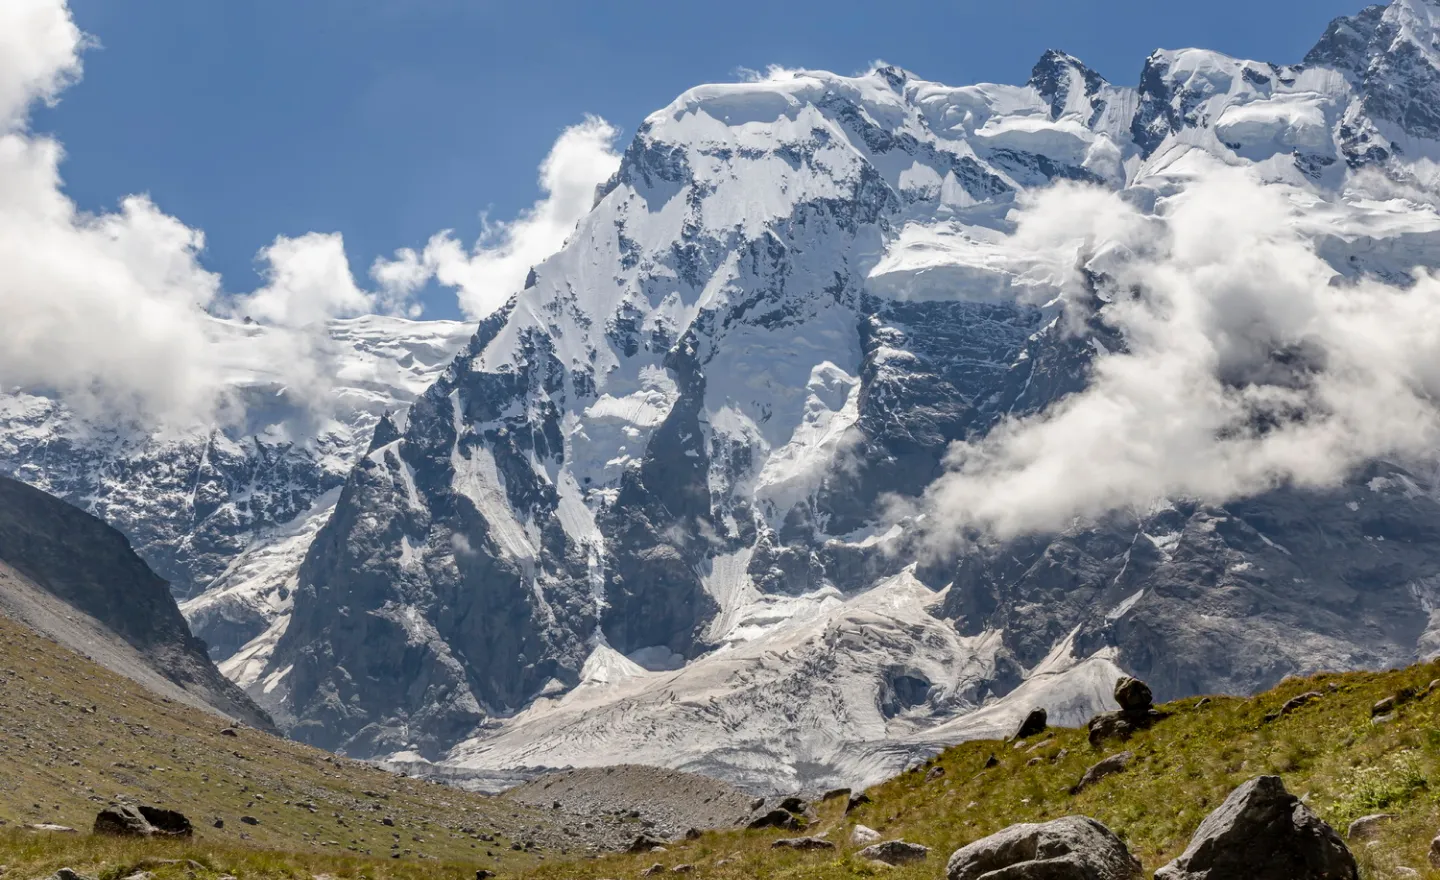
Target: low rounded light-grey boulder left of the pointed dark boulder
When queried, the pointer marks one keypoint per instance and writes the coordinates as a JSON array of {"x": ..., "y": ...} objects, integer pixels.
[{"x": 1071, "y": 849}]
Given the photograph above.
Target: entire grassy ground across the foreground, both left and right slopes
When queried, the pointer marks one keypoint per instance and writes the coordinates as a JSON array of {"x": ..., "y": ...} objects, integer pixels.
[{"x": 1328, "y": 751}]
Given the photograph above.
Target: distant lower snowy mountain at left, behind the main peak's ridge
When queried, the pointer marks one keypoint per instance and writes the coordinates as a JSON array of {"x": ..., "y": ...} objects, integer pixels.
[{"x": 224, "y": 513}]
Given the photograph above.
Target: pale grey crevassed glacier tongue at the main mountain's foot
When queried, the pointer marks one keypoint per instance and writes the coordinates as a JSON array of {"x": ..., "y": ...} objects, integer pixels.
[{"x": 794, "y": 706}]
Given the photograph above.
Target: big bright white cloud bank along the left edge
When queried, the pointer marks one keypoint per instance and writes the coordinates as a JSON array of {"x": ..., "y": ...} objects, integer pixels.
[{"x": 114, "y": 313}]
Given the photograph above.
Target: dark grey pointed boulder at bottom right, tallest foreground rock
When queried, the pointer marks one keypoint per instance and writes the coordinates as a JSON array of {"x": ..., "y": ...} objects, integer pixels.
[{"x": 1264, "y": 833}]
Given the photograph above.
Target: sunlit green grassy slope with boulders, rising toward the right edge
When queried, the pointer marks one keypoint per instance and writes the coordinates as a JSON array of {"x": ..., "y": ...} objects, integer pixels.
[{"x": 1328, "y": 751}]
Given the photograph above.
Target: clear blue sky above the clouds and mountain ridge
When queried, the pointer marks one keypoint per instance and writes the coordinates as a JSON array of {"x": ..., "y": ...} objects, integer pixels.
[{"x": 390, "y": 120}]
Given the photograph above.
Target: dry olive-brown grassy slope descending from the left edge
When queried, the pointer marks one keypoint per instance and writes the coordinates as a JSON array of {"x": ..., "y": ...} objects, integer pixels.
[{"x": 76, "y": 737}]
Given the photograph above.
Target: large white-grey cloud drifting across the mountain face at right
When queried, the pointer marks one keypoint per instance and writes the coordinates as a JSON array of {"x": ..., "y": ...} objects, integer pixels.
[{"x": 1248, "y": 365}]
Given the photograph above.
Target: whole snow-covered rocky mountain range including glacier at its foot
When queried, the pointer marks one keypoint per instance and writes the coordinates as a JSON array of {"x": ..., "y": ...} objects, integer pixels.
[{"x": 649, "y": 512}]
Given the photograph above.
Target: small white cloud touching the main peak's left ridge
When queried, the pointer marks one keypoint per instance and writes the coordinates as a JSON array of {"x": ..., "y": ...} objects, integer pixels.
[{"x": 489, "y": 274}]
